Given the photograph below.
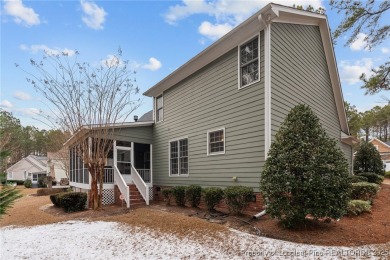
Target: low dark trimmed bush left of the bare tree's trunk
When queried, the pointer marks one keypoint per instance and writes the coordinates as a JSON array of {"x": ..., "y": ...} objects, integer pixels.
[{"x": 72, "y": 201}]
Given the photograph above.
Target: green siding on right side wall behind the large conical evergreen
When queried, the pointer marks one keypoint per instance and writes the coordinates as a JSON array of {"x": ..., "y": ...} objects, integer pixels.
[{"x": 299, "y": 74}]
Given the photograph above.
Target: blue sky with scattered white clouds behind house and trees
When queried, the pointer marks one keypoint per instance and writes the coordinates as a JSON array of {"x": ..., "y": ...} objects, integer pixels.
[{"x": 156, "y": 36}]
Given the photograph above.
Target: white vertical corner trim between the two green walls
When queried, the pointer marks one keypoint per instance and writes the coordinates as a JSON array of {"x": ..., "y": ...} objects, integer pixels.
[{"x": 267, "y": 89}]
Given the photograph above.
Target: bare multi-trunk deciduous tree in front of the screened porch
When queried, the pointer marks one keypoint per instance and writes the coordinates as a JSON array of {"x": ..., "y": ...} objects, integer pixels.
[{"x": 87, "y": 100}]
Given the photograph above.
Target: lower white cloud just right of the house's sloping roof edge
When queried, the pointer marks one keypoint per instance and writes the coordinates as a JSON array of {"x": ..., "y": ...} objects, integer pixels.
[{"x": 350, "y": 72}]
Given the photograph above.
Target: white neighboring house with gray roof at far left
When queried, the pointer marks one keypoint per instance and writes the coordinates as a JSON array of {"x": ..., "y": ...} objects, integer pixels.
[{"x": 33, "y": 167}]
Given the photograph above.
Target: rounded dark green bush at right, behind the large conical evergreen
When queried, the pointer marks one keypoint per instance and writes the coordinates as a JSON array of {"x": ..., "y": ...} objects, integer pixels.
[{"x": 368, "y": 159}]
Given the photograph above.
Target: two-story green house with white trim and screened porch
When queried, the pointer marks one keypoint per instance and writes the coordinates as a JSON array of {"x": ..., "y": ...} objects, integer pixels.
[{"x": 214, "y": 118}]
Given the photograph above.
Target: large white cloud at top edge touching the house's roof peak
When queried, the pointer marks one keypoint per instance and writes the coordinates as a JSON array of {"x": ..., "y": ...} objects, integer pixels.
[{"x": 225, "y": 13}]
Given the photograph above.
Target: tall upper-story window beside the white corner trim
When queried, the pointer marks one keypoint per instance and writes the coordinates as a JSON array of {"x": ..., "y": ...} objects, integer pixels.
[{"x": 249, "y": 62}]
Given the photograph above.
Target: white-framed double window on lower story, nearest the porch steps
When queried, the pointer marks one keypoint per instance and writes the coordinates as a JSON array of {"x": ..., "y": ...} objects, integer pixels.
[{"x": 178, "y": 157}]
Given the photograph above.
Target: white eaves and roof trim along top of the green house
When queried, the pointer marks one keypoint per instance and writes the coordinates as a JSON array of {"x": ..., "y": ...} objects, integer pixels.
[{"x": 251, "y": 26}]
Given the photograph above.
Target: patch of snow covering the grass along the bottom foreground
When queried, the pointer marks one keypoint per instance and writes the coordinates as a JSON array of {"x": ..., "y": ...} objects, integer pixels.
[{"x": 111, "y": 240}]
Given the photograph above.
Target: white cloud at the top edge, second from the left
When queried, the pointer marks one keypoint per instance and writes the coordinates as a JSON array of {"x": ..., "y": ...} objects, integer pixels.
[{"x": 94, "y": 16}]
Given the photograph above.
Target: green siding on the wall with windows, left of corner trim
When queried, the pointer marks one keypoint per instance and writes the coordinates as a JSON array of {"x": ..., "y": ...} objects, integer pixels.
[{"x": 208, "y": 100}]
